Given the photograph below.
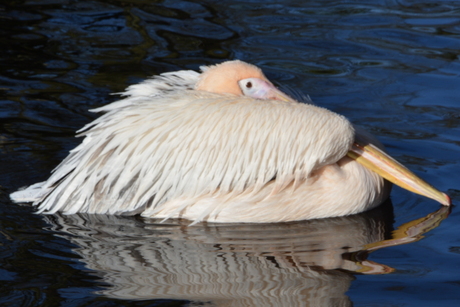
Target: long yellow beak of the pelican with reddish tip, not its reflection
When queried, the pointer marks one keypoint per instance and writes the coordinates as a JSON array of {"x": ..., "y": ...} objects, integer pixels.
[{"x": 376, "y": 160}]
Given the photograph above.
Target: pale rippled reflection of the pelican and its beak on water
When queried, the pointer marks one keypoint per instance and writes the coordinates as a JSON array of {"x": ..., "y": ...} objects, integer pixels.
[{"x": 308, "y": 263}]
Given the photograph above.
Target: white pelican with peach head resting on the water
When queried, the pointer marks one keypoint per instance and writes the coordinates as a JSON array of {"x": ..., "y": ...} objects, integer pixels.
[{"x": 223, "y": 145}]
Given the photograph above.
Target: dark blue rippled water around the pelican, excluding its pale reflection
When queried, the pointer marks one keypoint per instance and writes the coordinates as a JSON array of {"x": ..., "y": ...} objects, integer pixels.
[{"x": 391, "y": 66}]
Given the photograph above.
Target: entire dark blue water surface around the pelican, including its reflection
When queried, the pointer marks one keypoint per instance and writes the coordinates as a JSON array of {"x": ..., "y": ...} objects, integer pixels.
[{"x": 390, "y": 66}]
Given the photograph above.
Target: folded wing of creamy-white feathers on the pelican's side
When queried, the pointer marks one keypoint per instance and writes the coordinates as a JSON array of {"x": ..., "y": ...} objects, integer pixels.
[{"x": 154, "y": 149}]
